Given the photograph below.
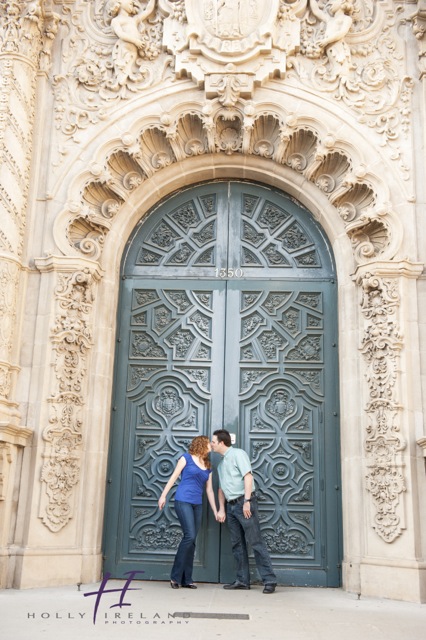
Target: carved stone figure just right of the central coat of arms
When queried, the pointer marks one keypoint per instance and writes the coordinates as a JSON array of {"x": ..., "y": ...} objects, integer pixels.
[{"x": 337, "y": 25}]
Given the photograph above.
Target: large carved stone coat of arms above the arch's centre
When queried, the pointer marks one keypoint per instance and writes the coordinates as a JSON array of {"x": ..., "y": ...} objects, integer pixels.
[{"x": 246, "y": 39}]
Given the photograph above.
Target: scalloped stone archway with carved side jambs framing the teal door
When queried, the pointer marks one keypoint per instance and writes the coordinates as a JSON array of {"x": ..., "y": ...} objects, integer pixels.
[{"x": 111, "y": 194}]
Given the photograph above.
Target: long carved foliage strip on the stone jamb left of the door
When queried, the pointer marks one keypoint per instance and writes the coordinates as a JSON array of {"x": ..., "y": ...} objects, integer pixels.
[{"x": 71, "y": 339}]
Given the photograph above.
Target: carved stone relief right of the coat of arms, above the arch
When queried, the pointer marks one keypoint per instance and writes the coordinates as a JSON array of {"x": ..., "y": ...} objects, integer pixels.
[{"x": 350, "y": 51}]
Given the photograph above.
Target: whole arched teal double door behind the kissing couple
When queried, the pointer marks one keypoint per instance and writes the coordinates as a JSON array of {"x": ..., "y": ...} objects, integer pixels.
[{"x": 227, "y": 317}]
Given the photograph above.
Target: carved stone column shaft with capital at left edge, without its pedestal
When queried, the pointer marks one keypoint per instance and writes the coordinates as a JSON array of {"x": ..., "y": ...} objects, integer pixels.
[{"x": 26, "y": 33}]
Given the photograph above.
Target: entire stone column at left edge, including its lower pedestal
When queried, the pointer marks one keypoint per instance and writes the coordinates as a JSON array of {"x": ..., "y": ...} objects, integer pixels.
[{"x": 27, "y": 30}]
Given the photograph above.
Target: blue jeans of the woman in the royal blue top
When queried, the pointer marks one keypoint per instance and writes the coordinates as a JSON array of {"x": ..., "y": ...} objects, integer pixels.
[{"x": 190, "y": 520}]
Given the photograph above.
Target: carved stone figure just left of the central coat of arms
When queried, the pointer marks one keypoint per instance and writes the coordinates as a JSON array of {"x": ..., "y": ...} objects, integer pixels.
[{"x": 128, "y": 25}]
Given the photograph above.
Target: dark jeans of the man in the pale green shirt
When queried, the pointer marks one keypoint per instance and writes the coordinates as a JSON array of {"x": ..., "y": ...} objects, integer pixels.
[{"x": 246, "y": 531}]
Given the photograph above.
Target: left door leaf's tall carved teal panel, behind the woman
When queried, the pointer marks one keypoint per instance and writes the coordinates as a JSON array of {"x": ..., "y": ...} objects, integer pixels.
[{"x": 172, "y": 340}]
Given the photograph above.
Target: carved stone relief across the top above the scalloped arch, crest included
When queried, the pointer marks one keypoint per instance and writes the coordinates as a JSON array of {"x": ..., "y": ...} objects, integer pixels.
[{"x": 347, "y": 52}]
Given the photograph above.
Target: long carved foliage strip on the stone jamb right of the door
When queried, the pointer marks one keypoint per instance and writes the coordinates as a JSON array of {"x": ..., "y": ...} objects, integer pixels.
[{"x": 381, "y": 345}]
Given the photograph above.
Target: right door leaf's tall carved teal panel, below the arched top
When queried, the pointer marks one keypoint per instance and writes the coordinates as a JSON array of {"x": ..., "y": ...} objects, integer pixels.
[{"x": 275, "y": 401}]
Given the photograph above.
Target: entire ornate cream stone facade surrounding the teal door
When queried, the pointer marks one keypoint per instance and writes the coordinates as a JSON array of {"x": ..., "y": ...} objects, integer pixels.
[{"x": 313, "y": 97}]
